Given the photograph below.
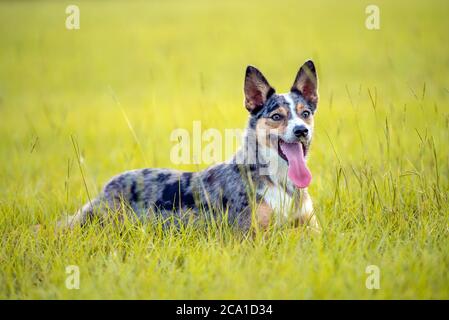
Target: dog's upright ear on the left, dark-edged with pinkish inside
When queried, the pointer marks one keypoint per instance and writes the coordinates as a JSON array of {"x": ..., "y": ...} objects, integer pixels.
[{"x": 257, "y": 89}]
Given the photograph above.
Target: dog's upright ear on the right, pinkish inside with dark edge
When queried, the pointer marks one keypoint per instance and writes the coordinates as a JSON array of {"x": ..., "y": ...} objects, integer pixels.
[{"x": 306, "y": 83}]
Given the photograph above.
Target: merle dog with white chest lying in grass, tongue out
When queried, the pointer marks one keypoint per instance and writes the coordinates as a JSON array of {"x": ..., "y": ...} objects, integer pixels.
[{"x": 265, "y": 181}]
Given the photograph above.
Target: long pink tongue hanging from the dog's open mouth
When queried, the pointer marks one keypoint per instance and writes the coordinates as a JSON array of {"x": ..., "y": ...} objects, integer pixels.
[{"x": 297, "y": 169}]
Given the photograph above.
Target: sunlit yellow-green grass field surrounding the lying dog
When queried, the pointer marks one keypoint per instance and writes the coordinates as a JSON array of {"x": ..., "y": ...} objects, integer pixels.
[{"x": 135, "y": 71}]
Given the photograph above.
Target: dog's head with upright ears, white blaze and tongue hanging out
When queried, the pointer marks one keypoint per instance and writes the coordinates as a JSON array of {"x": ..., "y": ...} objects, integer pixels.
[{"x": 283, "y": 123}]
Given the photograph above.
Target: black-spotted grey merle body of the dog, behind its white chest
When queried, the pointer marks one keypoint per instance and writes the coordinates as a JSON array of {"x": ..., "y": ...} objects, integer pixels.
[{"x": 185, "y": 196}]
